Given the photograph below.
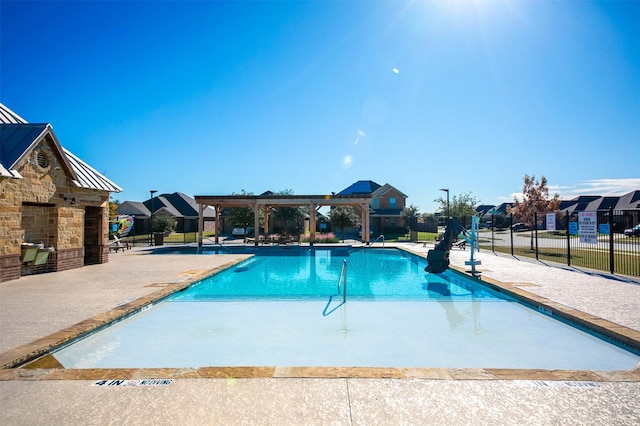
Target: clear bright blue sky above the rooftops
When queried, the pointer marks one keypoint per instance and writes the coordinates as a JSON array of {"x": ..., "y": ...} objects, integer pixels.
[{"x": 212, "y": 97}]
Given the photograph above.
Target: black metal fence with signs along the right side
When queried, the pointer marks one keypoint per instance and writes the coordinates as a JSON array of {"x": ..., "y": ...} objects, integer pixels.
[{"x": 594, "y": 240}]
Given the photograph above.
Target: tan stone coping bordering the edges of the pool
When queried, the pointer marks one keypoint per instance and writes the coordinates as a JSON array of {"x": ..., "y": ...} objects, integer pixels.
[{"x": 33, "y": 361}]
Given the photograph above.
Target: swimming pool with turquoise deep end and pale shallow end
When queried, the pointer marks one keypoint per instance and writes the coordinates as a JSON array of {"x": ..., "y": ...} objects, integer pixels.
[{"x": 275, "y": 309}]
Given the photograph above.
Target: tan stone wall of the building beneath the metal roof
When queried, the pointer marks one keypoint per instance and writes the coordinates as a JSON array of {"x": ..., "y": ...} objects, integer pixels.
[{"x": 45, "y": 206}]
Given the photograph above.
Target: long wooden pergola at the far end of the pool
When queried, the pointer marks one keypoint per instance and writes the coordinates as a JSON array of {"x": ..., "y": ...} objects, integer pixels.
[{"x": 266, "y": 202}]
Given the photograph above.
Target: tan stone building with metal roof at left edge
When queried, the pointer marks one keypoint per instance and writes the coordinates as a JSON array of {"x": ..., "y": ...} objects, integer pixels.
[{"x": 54, "y": 208}]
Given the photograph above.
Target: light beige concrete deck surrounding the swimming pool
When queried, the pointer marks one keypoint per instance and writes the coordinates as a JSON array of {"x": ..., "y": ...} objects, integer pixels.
[{"x": 31, "y": 312}]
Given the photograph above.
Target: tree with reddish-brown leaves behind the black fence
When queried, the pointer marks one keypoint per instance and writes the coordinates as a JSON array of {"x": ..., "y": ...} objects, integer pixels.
[{"x": 535, "y": 199}]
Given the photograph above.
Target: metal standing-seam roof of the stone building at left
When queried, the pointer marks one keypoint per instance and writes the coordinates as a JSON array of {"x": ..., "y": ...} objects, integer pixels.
[{"x": 18, "y": 138}]
